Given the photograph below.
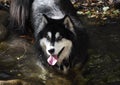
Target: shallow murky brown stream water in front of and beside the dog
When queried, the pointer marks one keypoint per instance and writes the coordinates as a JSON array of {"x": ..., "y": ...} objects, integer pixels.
[{"x": 18, "y": 61}]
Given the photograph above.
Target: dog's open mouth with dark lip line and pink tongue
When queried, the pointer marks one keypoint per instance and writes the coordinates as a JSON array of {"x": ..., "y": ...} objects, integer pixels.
[{"x": 52, "y": 60}]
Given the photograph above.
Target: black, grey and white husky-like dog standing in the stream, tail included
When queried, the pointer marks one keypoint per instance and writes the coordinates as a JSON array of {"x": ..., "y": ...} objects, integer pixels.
[{"x": 60, "y": 38}]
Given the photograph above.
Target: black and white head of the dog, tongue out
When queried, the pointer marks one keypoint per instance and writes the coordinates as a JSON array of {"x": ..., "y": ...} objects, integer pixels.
[{"x": 56, "y": 39}]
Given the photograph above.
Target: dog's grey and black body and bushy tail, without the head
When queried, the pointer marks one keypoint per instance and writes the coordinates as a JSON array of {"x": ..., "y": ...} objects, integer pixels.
[{"x": 25, "y": 11}]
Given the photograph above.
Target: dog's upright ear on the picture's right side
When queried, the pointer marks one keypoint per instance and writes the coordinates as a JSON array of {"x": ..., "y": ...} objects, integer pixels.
[{"x": 68, "y": 23}]
